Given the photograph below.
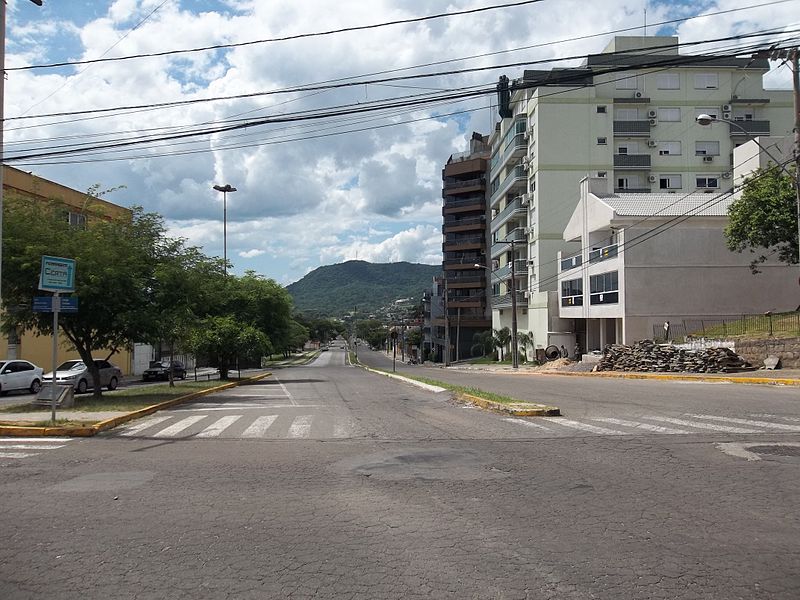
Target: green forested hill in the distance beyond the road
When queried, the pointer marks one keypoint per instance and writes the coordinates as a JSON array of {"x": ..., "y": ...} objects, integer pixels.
[{"x": 334, "y": 290}]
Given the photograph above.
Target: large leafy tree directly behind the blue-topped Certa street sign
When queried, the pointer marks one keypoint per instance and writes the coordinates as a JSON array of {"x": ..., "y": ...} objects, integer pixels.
[{"x": 116, "y": 259}]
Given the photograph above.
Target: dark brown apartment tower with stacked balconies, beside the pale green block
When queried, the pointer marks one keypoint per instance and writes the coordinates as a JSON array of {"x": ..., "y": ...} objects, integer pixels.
[{"x": 464, "y": 265}]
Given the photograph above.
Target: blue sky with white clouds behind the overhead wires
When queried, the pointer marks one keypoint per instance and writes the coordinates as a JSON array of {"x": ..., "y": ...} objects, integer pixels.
[{"x": 311, "y": 192}]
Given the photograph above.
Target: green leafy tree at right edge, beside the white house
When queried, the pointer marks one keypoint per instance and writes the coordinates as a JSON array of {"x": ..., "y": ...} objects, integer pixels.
[{"x": 764, "y": 219}]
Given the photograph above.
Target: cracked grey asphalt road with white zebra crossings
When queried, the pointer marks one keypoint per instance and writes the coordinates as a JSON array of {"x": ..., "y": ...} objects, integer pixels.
[{"x": 327, "y": 481}]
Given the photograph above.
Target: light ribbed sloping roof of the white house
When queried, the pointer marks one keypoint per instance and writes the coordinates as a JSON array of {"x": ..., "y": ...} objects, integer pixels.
[{"x": 668, "y": 205}]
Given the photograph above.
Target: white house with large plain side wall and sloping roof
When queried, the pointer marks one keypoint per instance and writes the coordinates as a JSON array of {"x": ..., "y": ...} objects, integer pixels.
[{"x": 642, "y": 263}]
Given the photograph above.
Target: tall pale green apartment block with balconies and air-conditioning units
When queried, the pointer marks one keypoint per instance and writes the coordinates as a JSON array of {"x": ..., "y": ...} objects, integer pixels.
[{"x": 627, "y": 115}]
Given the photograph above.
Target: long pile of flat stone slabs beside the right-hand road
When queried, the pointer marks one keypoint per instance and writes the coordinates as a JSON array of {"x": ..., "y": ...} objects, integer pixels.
[{"x": 648, "y": 356}]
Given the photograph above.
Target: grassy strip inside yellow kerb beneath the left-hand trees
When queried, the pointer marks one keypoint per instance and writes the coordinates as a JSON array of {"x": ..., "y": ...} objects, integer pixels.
[{"x": 125, "y": 400}]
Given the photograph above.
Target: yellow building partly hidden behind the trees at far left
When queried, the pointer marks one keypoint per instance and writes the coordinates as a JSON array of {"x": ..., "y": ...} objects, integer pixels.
[{"x": 38, "y": 349}]
